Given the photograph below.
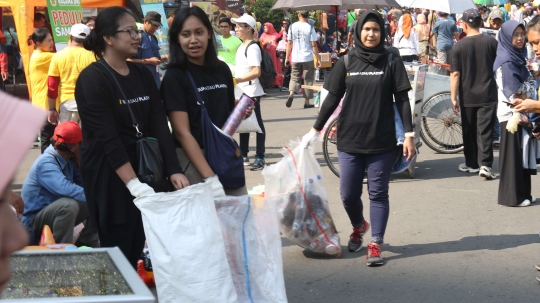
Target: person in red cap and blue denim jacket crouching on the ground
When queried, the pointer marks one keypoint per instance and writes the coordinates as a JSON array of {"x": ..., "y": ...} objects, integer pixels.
[{"x": 53, "y": 189}]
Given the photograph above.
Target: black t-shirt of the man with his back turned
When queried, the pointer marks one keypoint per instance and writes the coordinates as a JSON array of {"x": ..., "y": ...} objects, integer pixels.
[{"x": 473, "y": 58}]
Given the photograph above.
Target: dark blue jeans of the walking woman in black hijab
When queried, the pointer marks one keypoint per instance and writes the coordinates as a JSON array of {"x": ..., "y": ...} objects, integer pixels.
[{"x": 379, "y": 168}]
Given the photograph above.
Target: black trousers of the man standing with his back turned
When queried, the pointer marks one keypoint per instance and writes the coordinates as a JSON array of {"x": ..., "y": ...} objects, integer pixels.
[{"x": 477, "y": 124}]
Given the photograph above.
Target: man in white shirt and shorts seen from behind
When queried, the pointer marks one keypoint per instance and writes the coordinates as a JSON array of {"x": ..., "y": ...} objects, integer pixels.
[{"x": 302, "y": 42}]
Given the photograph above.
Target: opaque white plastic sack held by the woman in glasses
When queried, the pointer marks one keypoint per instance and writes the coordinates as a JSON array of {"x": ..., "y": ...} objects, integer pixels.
[{"x": 186, "y": 245}]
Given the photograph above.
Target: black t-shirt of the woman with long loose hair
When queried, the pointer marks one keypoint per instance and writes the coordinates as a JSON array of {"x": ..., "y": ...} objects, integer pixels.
[{"x": 215, "y": 87}]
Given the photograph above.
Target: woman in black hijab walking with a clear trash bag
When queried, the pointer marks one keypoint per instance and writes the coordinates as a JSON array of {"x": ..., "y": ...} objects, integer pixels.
[{"x": 367, "y": 135}]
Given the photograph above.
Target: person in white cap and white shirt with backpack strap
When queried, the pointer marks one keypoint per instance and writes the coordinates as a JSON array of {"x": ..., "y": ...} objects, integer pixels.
[{"x": 247, "y": 73}]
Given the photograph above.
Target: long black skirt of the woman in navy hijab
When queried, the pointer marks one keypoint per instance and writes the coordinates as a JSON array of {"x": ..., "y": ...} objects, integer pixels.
[{"x": 515, "y": 184}]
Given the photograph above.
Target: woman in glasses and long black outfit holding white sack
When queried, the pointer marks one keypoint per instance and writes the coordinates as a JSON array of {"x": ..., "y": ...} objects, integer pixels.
[{"x": 108, "y": 151}]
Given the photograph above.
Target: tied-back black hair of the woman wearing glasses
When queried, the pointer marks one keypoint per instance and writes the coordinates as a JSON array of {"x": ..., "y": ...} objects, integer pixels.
[{"x": 107, "y": 22}]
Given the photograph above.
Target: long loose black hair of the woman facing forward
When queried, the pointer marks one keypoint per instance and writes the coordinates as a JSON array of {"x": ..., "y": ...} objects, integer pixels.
[{"x": 177, "y": 56}]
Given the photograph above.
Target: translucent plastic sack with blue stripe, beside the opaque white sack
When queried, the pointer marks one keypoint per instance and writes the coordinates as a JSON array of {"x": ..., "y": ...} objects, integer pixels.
[{"x": 250, "y": 228}]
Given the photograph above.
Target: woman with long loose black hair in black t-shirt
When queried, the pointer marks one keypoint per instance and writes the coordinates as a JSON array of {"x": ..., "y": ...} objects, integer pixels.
[{"x": 192, "y": 49}]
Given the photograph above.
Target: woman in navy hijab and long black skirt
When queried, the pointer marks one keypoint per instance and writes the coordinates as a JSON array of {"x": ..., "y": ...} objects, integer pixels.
[{"x": 514, "y": 82}]
